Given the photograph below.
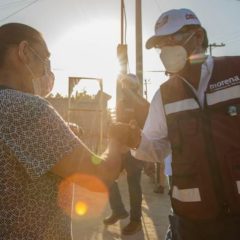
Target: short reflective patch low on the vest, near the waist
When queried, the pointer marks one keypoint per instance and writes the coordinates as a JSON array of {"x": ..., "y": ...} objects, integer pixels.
[{"x": 186, "y": 195}]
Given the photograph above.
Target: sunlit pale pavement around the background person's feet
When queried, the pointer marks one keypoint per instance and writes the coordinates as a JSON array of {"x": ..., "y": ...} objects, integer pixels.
[{"x": 155, "y": 210}]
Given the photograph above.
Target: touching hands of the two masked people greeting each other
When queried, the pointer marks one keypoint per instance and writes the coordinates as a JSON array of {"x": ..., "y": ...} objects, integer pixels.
[{"x": 127, "y": 134}]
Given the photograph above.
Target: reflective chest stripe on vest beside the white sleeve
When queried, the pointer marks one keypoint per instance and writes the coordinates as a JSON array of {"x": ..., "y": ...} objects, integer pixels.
[{"x": 179, "y": 106}]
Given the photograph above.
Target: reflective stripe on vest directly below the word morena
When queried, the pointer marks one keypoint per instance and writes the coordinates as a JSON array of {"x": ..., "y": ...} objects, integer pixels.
[{"x": 223, "y": 95}]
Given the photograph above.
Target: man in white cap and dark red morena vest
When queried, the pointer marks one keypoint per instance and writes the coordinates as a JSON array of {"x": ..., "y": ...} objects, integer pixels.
[{"x": 196, "y": 116}]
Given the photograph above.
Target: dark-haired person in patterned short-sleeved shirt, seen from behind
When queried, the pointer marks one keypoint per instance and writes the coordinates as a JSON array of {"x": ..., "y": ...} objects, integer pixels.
[{"x": 38, "y": 150}]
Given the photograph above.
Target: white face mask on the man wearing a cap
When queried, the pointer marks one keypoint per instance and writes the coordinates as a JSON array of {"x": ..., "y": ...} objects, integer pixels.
[{"x": 174, "y": 58}]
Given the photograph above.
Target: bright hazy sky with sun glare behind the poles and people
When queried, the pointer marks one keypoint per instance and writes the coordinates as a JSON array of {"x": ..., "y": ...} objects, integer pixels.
[{"x": 82, "y": 35}]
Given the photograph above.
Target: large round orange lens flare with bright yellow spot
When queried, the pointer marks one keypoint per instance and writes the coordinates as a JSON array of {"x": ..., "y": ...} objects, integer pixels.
[{"x": 82, "y": 196}]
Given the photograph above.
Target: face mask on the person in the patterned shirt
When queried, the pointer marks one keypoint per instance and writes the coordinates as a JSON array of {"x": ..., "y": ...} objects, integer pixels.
[{"x": 42, "y": 85}]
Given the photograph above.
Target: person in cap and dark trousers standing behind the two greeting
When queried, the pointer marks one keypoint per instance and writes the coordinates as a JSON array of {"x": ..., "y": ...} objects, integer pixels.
[{"x": 131, "y": 107}]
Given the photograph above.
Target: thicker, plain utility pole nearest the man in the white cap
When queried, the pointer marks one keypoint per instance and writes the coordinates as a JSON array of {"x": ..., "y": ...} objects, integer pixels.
[{"x": 139, "y": 60}]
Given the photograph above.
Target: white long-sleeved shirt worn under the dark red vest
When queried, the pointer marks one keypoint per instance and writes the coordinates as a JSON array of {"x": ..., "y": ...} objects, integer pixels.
[{"x": 155, "y": 146}]
